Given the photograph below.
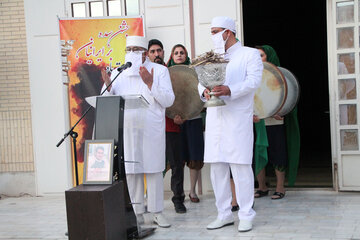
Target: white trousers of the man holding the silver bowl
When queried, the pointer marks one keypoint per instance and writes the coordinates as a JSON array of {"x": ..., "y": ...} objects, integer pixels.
[{"x": 244, "y": 187}]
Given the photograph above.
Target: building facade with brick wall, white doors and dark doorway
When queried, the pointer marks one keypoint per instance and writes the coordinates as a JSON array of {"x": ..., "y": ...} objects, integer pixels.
[{"x": 33, "y": 98}]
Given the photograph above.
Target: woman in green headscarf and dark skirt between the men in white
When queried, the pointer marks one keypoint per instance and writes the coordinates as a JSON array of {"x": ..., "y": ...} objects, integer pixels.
[{"x": 191, "y": 131}]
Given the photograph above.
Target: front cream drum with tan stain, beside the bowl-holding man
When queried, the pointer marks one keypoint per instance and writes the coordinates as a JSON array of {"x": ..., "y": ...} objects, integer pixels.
[{"x": 271, "y": 95}]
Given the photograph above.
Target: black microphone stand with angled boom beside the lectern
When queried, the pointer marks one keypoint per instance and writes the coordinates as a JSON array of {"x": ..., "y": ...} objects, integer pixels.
[{"x": 74, "y": 134}]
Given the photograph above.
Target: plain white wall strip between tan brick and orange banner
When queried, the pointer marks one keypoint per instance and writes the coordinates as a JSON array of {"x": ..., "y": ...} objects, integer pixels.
[{"x": 48, "y": 104}]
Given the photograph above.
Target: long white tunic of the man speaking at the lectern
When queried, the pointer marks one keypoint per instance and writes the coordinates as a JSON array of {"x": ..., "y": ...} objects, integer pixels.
[{"x": 145, "y": 144}]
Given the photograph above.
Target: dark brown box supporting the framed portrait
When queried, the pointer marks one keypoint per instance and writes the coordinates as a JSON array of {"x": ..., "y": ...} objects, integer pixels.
[{"x": 97, "y": 212}]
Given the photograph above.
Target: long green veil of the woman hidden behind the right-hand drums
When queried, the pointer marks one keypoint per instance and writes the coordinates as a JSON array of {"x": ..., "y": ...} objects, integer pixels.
[{"x": 292, "y": 134}]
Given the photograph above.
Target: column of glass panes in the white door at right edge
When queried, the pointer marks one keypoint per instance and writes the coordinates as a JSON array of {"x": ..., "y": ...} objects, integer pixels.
[{"x": 347, "y": 50}]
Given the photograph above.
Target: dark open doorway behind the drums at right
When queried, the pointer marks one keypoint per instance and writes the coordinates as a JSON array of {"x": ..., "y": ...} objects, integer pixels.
[{"x": 297, "y": 31}]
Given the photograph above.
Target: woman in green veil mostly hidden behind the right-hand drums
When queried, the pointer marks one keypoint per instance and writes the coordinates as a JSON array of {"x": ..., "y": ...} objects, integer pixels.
[{"x": 271, "y": 135}]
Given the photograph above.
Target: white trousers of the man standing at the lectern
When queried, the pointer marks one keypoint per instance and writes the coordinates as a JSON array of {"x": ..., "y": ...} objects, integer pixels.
[{"x": 155, "y": 192}]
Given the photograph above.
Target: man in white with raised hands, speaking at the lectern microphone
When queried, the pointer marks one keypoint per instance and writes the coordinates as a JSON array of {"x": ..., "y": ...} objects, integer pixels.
[{"x": 144, "y": 130}]
